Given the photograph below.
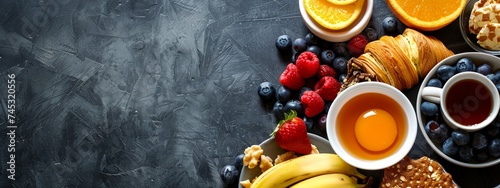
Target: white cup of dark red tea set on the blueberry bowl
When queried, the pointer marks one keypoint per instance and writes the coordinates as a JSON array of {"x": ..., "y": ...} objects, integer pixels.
[{"x": 468, "y": 101}]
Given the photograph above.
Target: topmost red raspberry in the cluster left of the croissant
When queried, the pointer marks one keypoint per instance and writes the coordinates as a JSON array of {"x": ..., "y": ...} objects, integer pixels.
[{"x": 307, "y": 64}]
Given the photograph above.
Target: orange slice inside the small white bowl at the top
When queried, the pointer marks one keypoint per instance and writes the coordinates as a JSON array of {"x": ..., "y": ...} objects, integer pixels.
[{"x": 332, "y": 16}]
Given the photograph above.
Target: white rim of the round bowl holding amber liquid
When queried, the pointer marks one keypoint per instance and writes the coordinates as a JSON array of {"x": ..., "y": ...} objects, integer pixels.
[{"x": 363, "y": 88}]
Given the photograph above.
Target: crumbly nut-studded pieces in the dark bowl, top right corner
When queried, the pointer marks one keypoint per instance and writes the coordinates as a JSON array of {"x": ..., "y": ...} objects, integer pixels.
[{"x": 484, "y": 23}]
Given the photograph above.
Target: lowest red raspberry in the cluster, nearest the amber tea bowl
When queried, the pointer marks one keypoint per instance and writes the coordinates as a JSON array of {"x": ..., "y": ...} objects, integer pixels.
[{"x": 312, "y": 103}]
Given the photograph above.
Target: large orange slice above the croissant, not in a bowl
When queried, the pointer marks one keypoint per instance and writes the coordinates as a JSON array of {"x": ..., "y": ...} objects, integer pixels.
[{"x": 426, "y": 15}]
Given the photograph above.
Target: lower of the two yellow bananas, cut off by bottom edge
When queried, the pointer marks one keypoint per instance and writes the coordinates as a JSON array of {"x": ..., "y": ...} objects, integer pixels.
[{"x": 329, "y": 180}]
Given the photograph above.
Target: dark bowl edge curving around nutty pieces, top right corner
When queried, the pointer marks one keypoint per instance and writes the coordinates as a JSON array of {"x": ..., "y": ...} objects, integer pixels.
[{"x": 469, "y": 38}]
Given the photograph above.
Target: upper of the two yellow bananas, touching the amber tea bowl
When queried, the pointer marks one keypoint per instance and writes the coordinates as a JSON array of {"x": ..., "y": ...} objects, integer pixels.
[{"x": 303, "y": 167}]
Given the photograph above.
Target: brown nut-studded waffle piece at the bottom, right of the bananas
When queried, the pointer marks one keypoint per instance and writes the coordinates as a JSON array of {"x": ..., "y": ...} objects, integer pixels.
[{"x": 422, "y": 172}]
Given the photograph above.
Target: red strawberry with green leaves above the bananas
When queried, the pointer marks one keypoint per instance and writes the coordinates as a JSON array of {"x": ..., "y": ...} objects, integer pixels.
[{"x": 291, "y": 134}]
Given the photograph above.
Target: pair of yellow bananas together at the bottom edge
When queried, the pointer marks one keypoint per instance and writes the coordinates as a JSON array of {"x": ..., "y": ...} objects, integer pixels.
[{"x": 314, "y": 170}]
